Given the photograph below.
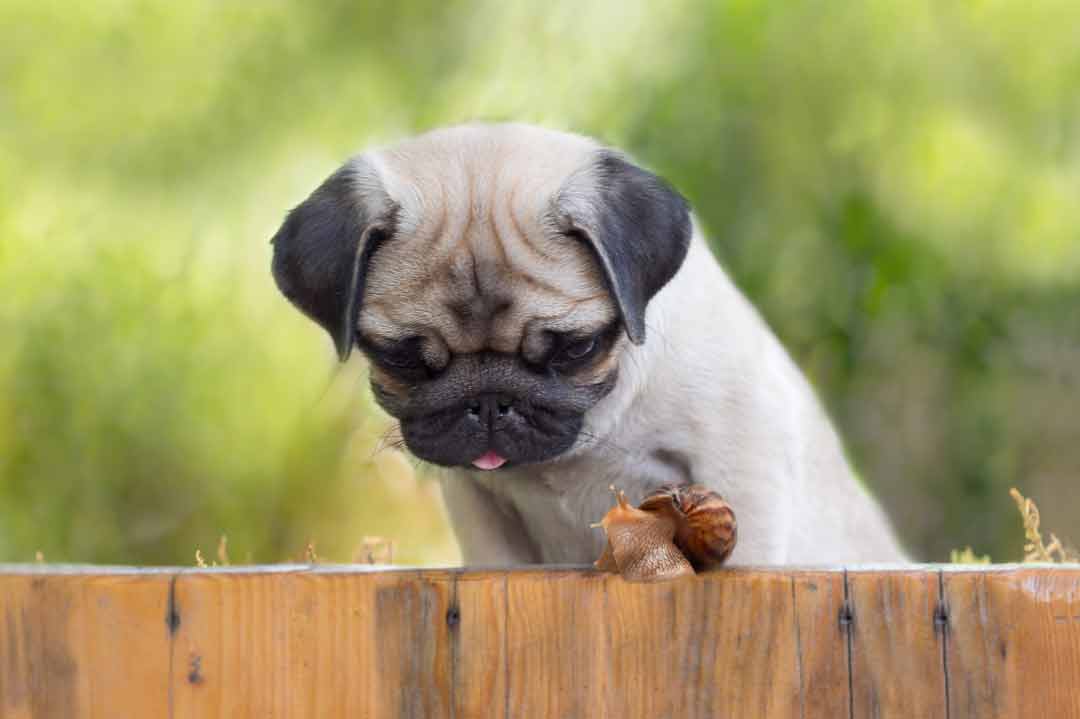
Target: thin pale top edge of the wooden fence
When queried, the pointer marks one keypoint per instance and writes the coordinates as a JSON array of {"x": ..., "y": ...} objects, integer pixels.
[{"x": 106, "y": 571}]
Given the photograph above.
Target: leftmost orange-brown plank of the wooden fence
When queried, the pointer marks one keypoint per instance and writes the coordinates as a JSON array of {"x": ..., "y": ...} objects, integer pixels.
[{"x": 75, "y": 645}]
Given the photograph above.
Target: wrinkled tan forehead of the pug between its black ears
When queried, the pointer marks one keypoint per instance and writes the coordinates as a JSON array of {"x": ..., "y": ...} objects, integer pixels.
[{"x": 481, "y": 261}]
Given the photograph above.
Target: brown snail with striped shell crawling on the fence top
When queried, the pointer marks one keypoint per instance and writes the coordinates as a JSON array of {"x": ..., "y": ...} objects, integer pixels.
[{"x": 672, "y": 534}]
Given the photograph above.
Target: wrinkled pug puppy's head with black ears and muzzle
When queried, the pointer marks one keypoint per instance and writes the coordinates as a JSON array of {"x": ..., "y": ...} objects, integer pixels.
[{"x": 493, "y": 275}]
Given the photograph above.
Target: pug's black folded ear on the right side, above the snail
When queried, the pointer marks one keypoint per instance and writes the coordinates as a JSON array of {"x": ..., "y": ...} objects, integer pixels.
[{"x": 636, "y": 223}]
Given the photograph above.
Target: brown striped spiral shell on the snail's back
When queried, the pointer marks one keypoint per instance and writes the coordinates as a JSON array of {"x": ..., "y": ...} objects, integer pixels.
[{"x": 706, "y": 527}]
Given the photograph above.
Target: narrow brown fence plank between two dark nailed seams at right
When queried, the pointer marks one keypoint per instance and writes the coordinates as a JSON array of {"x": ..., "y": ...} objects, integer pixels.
[{"x": 897, "y": 655}]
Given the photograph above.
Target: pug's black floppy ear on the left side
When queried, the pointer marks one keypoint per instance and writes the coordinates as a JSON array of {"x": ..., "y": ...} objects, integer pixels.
[{"x": 323, "y": 249}]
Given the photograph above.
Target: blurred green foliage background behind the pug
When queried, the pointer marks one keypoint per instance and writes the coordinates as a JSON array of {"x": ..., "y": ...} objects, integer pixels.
[{"x": 895, "y": 183}]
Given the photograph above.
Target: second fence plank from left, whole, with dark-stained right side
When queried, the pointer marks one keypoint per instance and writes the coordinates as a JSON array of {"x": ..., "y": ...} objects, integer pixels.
[{"x": 314, "y": 644}]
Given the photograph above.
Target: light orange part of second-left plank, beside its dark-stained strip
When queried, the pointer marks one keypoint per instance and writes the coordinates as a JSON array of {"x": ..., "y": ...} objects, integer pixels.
[{"x": 256, "y": 645}]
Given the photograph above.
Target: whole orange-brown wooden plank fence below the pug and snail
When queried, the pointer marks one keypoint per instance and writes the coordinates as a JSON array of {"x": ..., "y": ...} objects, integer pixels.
[{"x": 348, "y": 642}]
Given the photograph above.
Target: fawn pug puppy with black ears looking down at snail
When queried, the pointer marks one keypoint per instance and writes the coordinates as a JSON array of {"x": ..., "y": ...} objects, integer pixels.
[{"x": 544, "y": 320}]
